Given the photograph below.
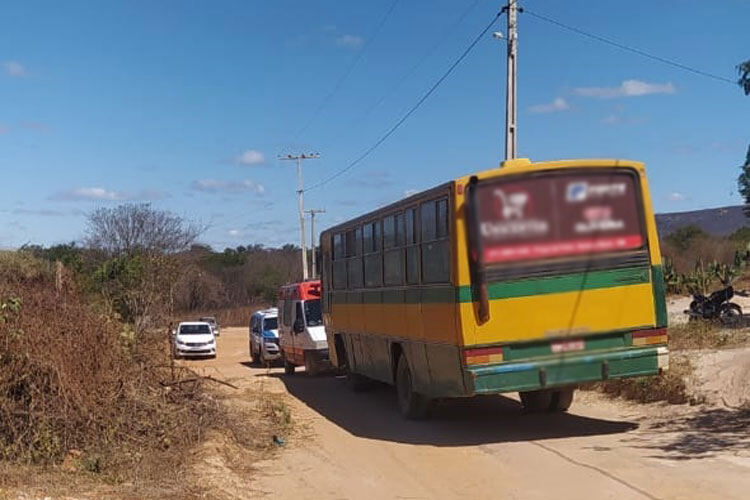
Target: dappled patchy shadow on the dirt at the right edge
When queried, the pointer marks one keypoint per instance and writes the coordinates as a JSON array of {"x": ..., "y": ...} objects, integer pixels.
[{"x": 701, "y": 434}]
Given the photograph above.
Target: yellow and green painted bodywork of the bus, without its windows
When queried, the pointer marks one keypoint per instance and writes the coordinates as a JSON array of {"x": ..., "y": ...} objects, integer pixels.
[{"x": 532, "y": 322}]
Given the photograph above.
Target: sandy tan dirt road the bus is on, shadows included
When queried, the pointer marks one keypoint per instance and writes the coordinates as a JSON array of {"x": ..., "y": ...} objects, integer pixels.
[{"x": 356, "y": 446}]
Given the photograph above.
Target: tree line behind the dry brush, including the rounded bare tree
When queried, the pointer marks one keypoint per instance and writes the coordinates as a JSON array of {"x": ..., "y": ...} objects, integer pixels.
[{"x": 145, "y": 265}]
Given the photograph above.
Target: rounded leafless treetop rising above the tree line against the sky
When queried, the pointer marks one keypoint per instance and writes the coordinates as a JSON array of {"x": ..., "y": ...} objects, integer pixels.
[{"x": 138, "y": 228}]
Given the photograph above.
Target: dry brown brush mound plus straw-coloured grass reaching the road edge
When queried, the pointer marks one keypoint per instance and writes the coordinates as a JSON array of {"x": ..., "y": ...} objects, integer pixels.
[{"x": 79, "y": 392}]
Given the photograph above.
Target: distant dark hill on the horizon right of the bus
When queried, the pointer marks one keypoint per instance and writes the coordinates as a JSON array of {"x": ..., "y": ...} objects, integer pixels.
[{"x": 720, "y": 221}]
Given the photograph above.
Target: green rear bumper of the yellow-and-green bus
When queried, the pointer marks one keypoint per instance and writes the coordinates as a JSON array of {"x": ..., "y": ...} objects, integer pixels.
[{"x": 568, "y": 370}]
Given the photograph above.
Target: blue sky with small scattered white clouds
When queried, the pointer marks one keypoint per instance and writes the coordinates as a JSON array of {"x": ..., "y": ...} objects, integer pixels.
[{"x": 187, "y": 104}]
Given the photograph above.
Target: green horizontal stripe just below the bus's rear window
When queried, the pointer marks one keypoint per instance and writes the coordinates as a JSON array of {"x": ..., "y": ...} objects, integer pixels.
[{"x": 560, "y": 284}]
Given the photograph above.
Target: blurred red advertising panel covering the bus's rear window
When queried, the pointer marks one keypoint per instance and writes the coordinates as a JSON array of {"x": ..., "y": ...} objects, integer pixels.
[{"x": 557, "y": 216}]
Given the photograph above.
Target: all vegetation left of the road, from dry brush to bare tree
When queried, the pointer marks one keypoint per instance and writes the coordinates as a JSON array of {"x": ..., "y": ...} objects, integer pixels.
[{"x": 86, "y": 379}]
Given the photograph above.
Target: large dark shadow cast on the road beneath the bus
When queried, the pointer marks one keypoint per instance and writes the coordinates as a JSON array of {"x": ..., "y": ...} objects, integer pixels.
[{"x": 460, "y": 422}]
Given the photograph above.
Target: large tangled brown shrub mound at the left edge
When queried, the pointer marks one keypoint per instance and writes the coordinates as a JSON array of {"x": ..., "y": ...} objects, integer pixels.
[{"x": 68, "y": 382}]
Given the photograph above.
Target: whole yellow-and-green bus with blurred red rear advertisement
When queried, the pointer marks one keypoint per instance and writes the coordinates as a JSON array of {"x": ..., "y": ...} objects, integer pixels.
[{"x": 531, "y": 277}]
